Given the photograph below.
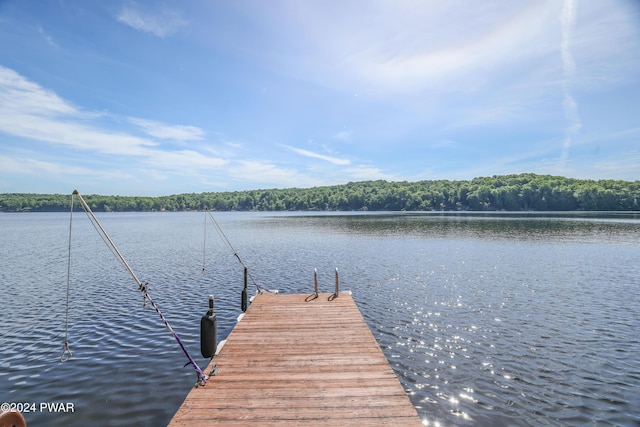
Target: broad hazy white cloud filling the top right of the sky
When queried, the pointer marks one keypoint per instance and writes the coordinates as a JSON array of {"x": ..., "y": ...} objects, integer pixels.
[{"x": 418, "y": 48}]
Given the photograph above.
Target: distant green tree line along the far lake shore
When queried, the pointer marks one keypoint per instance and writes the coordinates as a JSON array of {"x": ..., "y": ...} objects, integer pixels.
[{"x": 523, "y": 192}]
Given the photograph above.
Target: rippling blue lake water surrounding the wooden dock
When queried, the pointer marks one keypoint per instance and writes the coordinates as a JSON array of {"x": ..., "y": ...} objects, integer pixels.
[{"x": 487, "y": 319}]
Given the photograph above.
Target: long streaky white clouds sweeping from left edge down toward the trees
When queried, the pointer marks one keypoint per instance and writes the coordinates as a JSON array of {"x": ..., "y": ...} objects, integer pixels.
[{"x": 30, "y": 111}]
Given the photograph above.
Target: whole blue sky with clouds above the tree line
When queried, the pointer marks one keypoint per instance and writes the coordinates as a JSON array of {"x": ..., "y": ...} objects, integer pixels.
[{"x": 157, "y": 98}]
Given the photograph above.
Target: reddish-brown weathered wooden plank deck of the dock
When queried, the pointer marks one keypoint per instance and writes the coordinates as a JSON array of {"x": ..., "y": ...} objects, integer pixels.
[{"x": 293, "y": 362}]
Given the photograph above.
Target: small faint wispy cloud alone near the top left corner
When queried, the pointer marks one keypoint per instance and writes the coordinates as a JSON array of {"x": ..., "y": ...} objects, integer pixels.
[{"x": 160, "y": 22}]
